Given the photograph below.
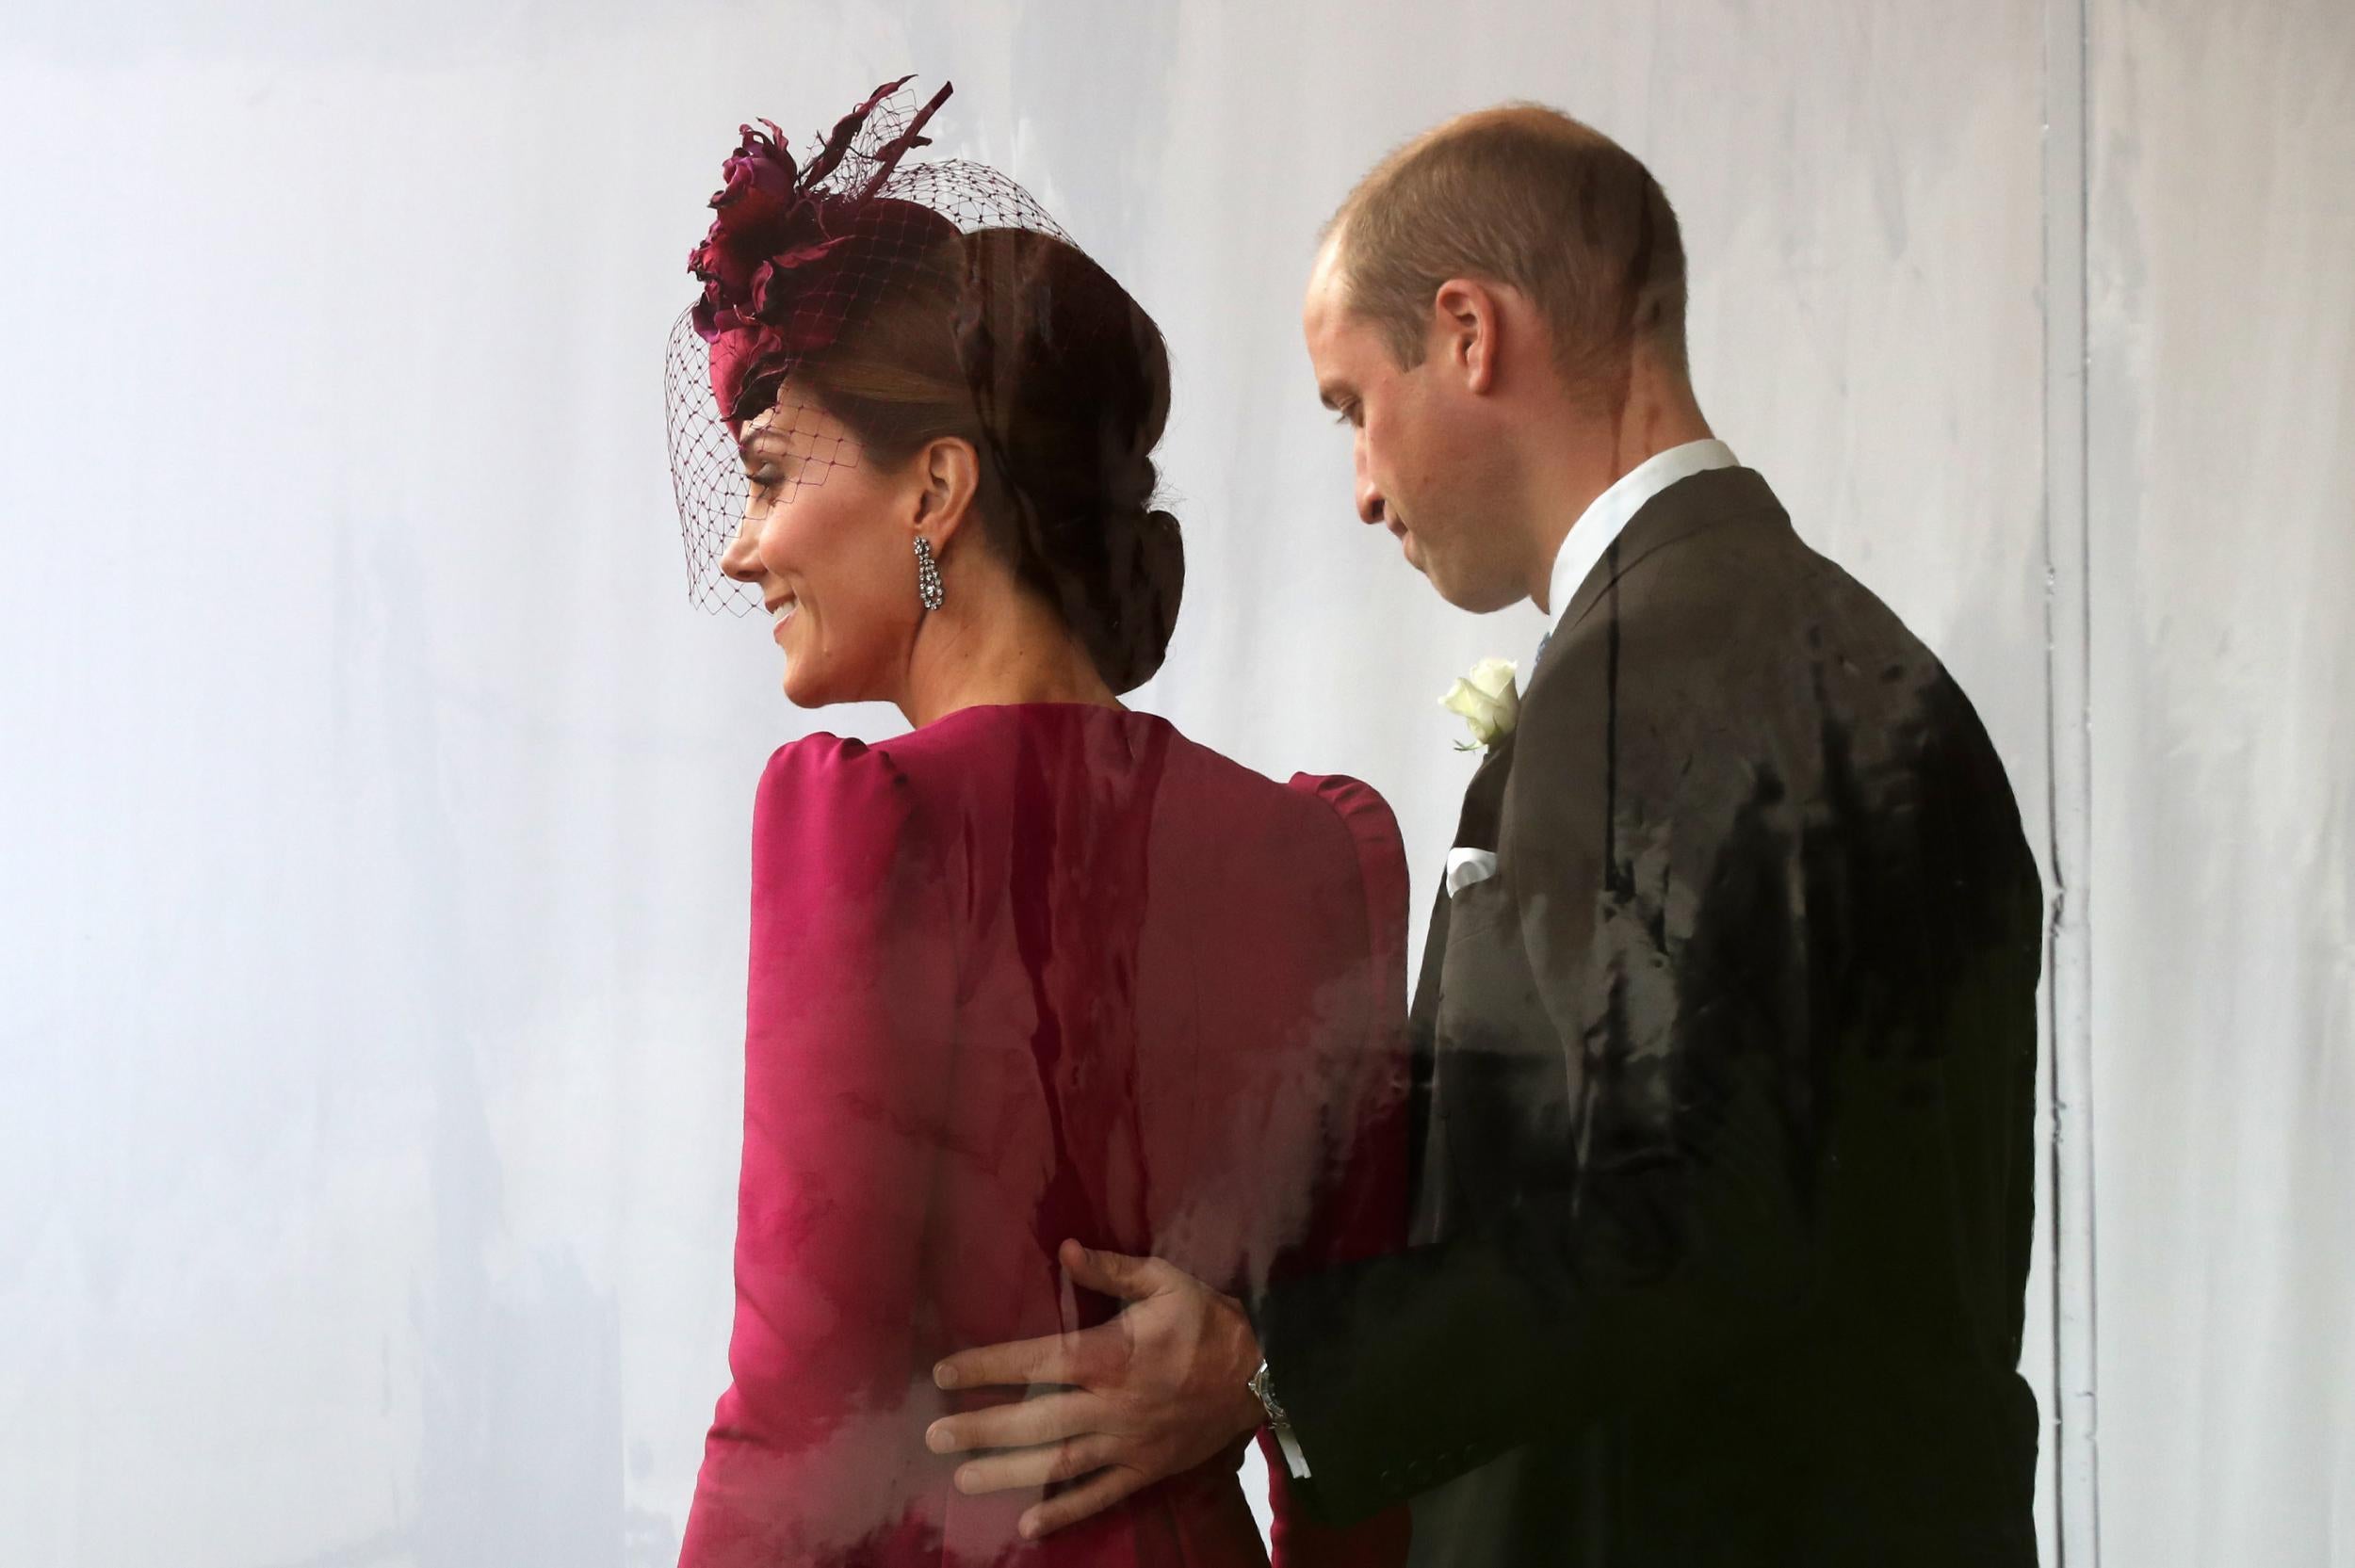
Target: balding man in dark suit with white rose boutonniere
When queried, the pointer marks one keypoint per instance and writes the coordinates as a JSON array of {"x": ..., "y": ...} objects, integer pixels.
[{"x": 1730, "y": 1002}]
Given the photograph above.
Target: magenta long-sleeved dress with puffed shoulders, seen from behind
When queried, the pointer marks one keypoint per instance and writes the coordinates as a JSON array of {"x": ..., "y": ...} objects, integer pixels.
[{"x": 1033, "y": 974}]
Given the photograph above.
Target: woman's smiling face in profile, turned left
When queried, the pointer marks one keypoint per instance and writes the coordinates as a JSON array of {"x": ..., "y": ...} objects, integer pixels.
[{"x": 828, "y": 540}]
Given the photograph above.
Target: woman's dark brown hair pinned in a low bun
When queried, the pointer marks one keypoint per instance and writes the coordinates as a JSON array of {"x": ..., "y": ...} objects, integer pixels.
[{"x": 1026, "y": 347}]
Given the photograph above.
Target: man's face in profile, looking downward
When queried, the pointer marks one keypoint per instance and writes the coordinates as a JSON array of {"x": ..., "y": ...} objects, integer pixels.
[{"x": 1426, "y": 458}]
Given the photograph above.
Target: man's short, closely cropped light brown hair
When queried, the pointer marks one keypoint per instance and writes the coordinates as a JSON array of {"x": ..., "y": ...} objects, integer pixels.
[{"x": 1532, "y": 199}]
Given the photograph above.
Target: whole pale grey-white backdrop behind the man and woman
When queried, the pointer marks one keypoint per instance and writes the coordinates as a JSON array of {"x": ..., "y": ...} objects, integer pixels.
[{"x": 376, "y": 806}]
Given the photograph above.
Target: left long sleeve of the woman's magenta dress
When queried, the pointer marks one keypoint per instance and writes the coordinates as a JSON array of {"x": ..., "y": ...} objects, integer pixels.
[{"x": 818, "y": 1442}]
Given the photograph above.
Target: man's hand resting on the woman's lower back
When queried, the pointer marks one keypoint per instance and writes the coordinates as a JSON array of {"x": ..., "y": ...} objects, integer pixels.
[{"x": 1148, "y": 1395}]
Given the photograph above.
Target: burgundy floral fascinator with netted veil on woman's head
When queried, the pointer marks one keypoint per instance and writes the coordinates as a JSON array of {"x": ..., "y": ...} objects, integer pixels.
[{"x": 795, "y": 253}]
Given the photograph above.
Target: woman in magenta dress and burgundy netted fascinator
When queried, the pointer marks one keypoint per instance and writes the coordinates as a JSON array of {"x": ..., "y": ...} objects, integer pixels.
[{"x": 1042, "y": 966}]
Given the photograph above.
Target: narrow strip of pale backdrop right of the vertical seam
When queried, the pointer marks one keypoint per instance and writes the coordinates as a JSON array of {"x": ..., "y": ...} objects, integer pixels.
[{"x": 2222, "y": 915}]
